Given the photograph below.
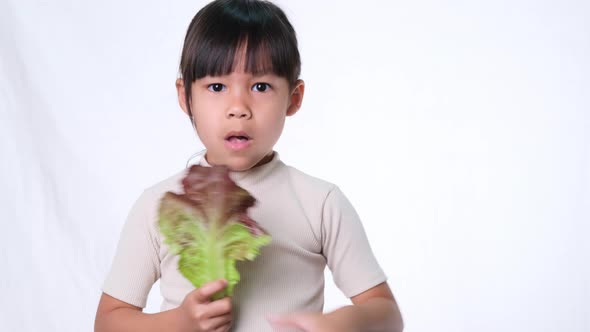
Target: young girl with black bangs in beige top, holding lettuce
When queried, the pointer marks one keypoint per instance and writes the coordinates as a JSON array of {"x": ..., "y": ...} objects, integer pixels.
[{"x": 239, "y": 80}]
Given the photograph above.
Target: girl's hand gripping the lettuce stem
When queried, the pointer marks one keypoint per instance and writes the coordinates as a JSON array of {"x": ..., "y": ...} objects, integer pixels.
[{"x": 198, "y": 313}]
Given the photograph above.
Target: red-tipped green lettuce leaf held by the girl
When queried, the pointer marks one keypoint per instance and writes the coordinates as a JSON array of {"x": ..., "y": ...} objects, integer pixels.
[{"x": 208, "y": 227}]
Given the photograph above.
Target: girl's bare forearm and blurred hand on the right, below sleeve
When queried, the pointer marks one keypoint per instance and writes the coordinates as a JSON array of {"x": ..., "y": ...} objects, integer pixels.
[{"x": 373, "y": 310}]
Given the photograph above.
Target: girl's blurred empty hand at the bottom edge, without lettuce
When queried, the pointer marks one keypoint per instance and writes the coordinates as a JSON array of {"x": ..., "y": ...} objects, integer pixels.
[{"x": 307, "y": 322}]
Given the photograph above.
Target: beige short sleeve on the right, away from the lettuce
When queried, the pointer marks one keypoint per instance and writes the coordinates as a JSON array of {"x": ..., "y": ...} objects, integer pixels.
[{"x": 346, "y": 247}]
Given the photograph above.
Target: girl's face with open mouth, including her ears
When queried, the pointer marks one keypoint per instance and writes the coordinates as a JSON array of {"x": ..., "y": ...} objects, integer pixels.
[{"x": 239, "y": 117}]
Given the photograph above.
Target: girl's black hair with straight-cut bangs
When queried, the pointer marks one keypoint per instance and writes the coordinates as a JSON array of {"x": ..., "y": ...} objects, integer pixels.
[{"x": 223, "y": 28}]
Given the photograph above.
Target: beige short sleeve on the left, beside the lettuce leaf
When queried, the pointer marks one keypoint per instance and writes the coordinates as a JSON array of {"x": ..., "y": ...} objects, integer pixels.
[{"x": 136, "y": 266}]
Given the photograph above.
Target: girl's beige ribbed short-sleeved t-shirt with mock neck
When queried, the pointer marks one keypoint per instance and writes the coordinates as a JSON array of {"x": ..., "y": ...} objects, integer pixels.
[{"x": 312, "y": 225}]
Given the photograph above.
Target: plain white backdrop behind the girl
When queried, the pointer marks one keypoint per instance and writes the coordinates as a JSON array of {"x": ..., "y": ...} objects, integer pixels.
[{"x": 459, "y": 130}]
